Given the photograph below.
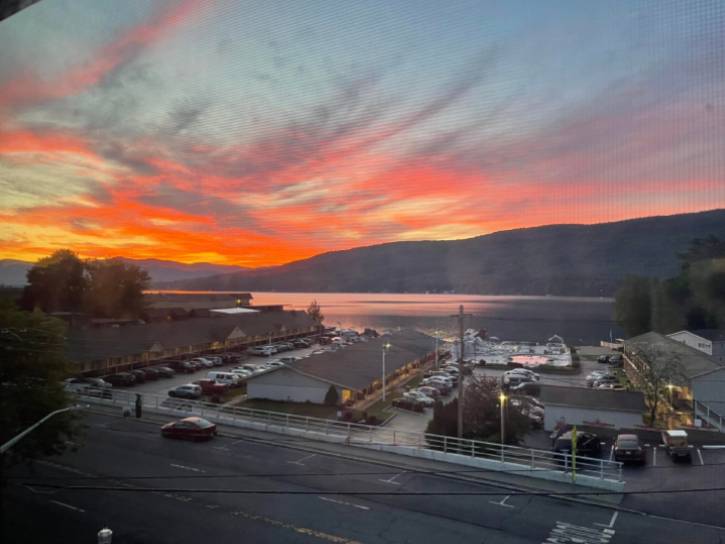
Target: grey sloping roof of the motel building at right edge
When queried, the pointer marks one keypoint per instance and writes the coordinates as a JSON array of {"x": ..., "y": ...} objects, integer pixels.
[{"x": 659, "y": 349}]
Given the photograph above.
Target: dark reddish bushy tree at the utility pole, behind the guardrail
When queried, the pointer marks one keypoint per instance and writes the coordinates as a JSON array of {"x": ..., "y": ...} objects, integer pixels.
[{"x": 481, "y": 414}]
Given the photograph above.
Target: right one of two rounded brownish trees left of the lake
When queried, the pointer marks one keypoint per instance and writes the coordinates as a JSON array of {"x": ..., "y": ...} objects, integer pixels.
[{"x": 115, "y": 288}]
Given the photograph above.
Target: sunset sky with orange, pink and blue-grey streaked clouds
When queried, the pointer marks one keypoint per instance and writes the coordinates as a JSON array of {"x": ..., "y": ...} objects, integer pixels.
[{"x": 256, "y": 133}]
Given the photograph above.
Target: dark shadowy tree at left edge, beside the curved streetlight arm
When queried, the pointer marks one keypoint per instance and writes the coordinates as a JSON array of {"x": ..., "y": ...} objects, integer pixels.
[{"x": 33, "y": 366}]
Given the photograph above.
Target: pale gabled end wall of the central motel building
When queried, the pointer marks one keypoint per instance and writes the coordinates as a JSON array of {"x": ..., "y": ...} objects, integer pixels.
[{"x": 286, "y": 385}]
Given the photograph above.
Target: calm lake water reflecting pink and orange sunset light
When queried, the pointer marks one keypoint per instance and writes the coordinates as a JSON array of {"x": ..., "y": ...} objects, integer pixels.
[{"x": 578, "y": 320}]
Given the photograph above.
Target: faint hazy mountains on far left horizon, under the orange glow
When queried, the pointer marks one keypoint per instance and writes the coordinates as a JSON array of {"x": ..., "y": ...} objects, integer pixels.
[{"x": 12, "y": 272}]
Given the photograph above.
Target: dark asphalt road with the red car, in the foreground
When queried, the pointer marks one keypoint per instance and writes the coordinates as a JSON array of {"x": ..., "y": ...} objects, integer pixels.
[{"x": 170, "y": 491}]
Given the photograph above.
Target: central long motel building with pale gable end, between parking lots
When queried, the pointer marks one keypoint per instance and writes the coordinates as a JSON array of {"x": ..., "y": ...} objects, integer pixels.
[{"x": 354, "y": 371}]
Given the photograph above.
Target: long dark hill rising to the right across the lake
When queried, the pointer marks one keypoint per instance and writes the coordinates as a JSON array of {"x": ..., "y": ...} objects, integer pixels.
[{"x": 584, "y": 260}]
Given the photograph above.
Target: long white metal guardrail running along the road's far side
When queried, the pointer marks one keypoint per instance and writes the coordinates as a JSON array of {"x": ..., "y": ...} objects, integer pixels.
[{"x": 487, "y": 455}]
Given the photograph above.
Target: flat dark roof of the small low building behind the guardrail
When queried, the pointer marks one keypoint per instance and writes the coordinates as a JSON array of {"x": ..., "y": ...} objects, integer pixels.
[{"x": 592, "y": 399}]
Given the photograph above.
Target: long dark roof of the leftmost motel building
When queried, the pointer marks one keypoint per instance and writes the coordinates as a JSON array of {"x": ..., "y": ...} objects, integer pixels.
[{"x": 97, "y": 344}]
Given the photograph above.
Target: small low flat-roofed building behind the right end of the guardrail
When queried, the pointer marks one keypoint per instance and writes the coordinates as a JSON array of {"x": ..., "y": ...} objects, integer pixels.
[{"x": 584, "y": 406}]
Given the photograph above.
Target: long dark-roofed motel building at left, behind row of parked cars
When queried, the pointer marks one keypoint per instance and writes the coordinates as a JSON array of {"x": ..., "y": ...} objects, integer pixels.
[{"x": 106, "y": 349}]
